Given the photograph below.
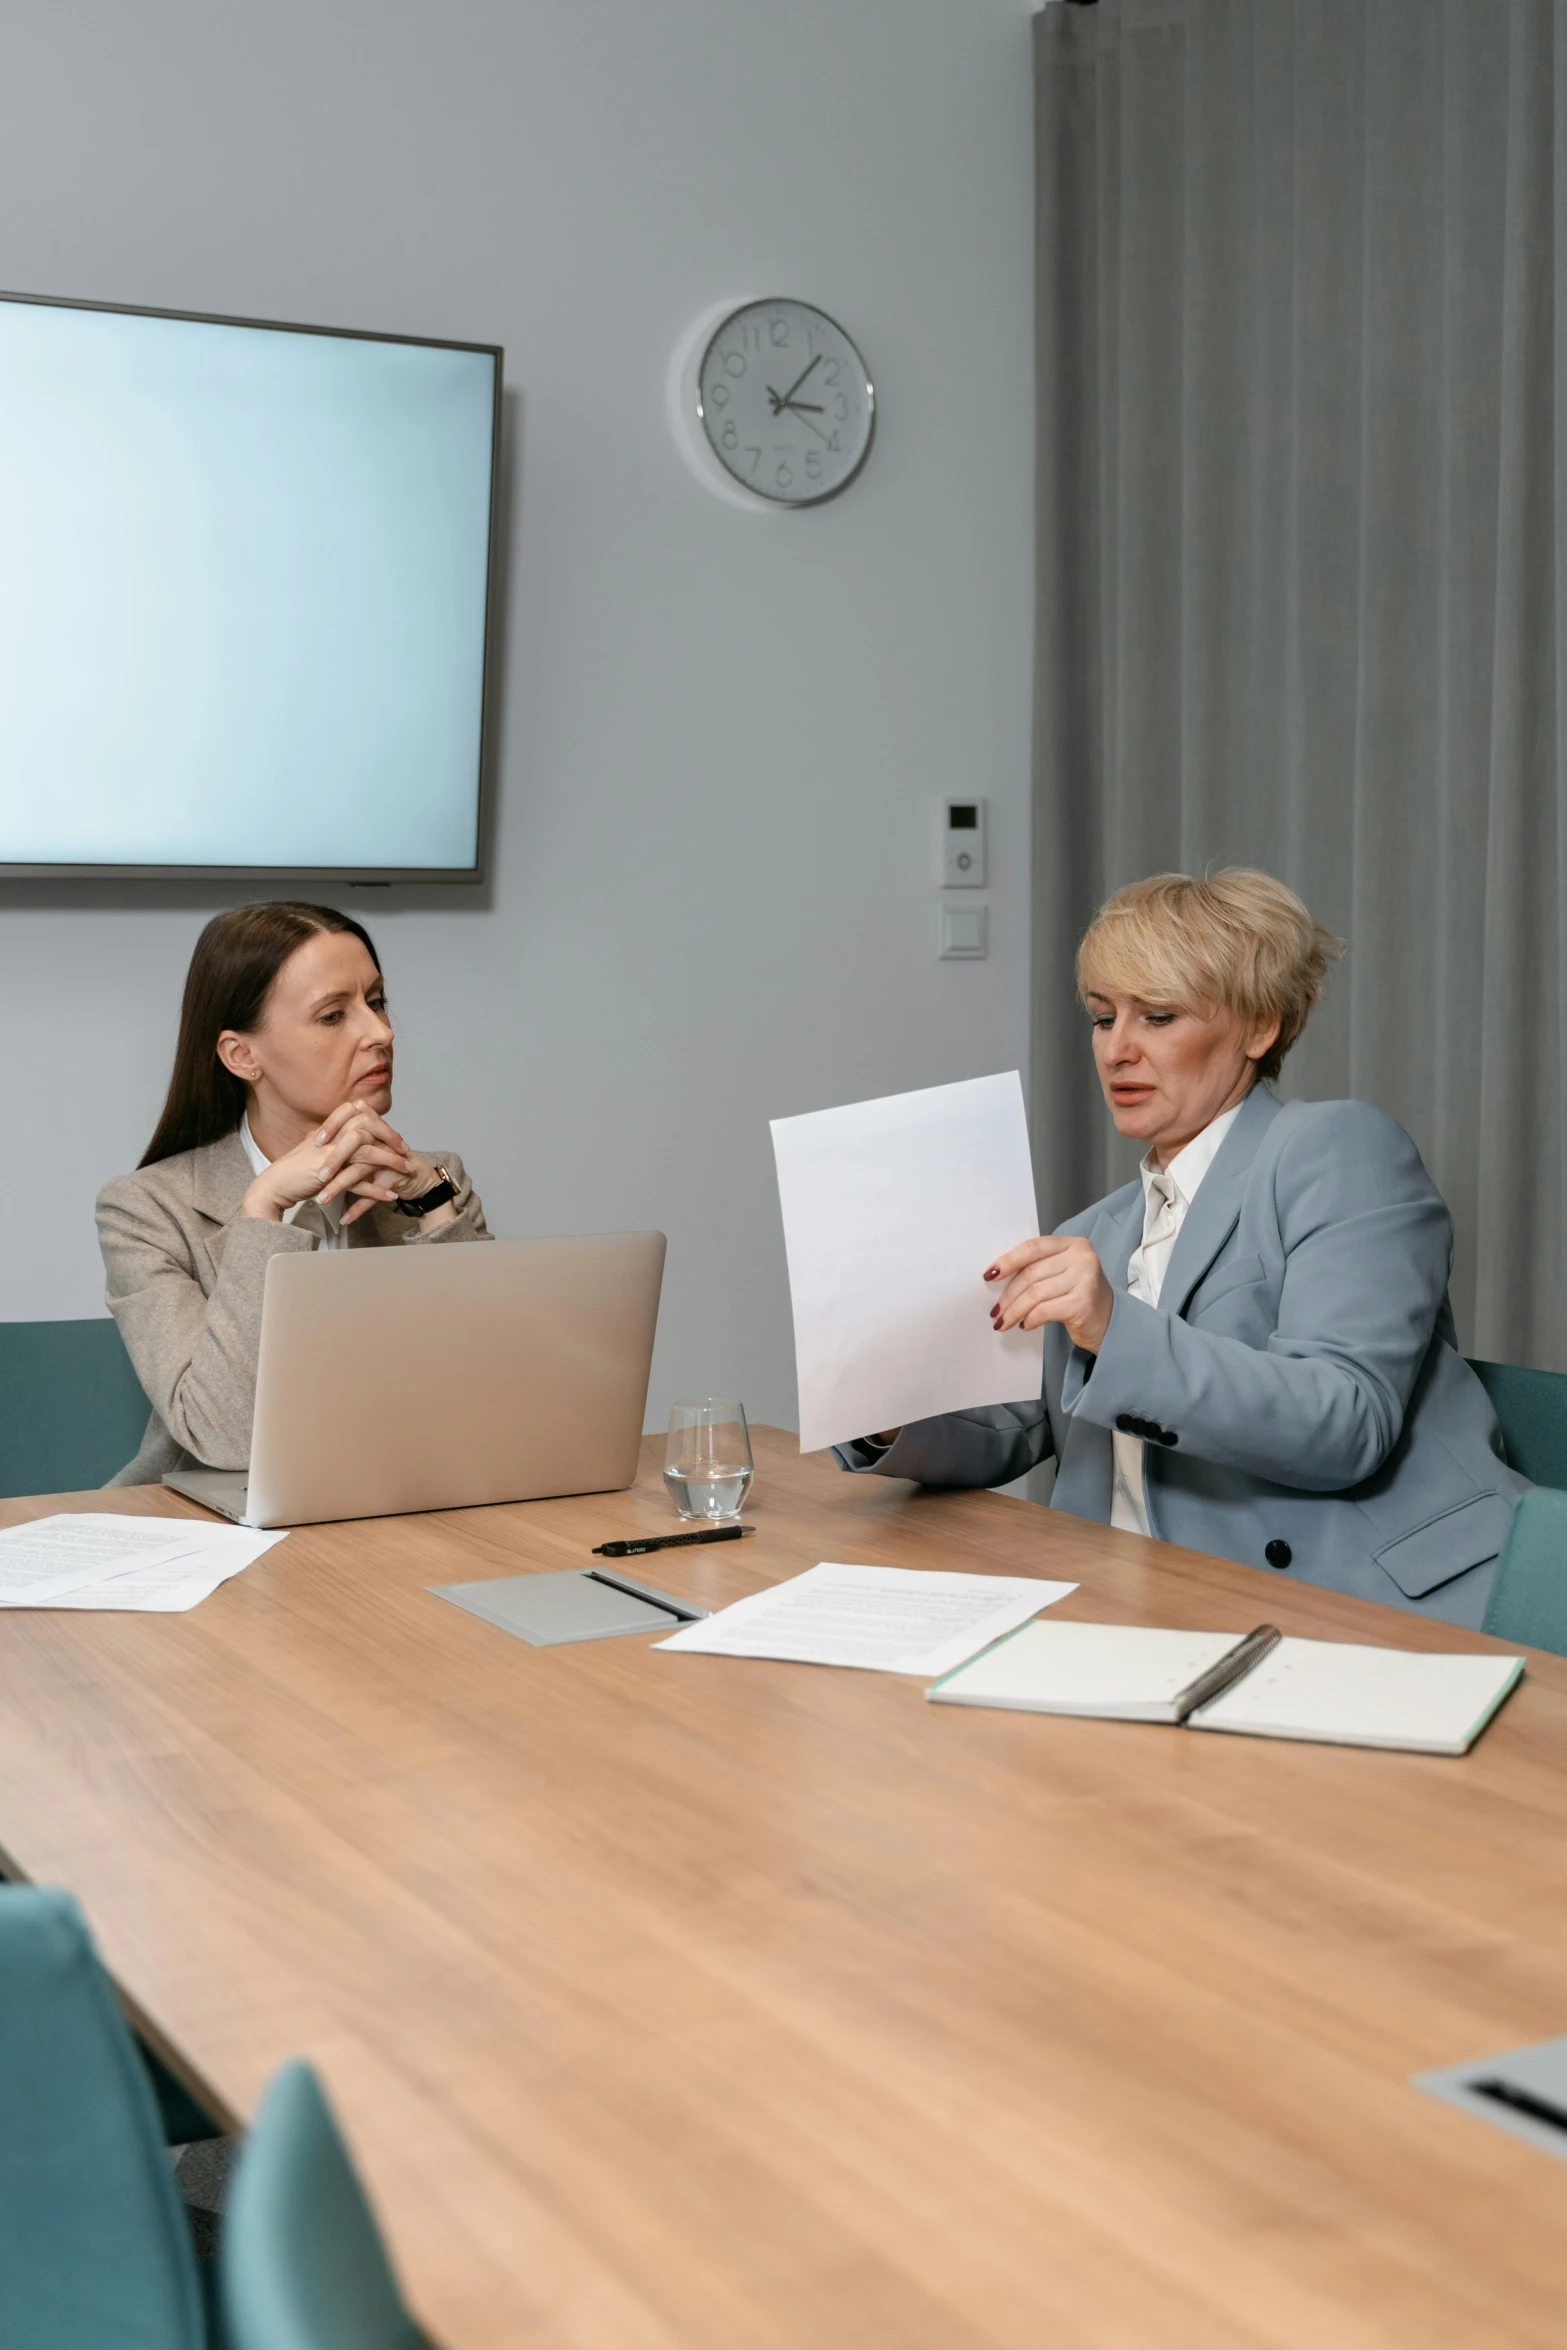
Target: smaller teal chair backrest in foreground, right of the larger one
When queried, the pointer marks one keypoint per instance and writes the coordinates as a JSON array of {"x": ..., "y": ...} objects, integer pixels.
[{"x": 302, "y": 2257}]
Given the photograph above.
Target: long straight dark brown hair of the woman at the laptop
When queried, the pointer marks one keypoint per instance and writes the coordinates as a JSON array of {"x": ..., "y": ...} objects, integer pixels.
[{"x": 231, "y": 976}]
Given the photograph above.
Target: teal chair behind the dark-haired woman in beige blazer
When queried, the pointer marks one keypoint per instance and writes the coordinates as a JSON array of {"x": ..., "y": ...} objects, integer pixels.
[{"x": 72, "y": 1409}]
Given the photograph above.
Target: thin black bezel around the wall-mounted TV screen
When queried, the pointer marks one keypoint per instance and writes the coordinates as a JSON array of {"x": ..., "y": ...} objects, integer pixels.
[{"x": 487, "y": 683}]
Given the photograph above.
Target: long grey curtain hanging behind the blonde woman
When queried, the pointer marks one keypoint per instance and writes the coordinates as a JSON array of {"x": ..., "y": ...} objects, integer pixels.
[{"x": 1303, "y": 593}]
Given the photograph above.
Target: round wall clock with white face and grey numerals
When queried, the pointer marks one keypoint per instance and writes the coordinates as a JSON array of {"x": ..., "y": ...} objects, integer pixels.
[{"x": 786, "y": 403}]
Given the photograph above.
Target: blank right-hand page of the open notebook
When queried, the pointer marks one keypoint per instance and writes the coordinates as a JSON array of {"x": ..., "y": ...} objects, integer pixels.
[{"x": 1364, "y": 1698}]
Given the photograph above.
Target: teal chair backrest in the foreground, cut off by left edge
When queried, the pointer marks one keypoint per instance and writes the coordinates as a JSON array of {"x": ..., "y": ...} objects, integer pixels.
[{"x": 93, "y": 2238}]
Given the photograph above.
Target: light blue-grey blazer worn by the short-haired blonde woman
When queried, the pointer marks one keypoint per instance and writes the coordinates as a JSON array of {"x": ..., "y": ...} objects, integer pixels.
[{"x": 1298, "y": 1383}]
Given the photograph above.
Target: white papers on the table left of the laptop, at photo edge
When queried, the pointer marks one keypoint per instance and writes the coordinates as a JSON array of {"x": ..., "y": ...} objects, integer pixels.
[{"x": 100, "y": 1559}]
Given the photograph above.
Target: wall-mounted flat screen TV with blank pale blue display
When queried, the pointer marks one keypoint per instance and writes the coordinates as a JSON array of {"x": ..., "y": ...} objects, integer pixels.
[{"x": 246, "y": 584}]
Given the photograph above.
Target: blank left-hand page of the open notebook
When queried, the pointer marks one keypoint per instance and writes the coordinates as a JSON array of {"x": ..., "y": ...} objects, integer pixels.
[{"x": 1087, "y": 1670}]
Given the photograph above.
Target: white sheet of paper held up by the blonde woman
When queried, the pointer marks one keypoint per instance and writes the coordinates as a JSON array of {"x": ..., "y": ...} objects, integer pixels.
[{"x": 892, "y": 1214}]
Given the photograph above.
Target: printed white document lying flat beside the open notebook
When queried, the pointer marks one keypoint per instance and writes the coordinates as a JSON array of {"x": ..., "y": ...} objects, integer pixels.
[{"x": 880, "y": 1620}]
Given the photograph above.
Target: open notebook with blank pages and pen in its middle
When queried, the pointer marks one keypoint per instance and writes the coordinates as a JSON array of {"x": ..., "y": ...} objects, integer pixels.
[{"x": 1260, "y": 1686}]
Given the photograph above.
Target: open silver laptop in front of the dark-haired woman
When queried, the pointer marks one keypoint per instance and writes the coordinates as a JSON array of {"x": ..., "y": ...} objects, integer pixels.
[{"x": 440, "y": 1378}]
